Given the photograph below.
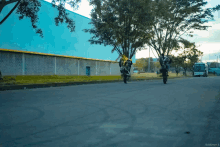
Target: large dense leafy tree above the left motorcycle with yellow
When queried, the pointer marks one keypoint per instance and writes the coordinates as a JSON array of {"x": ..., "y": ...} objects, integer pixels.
[{"x": 123, "y": 24}]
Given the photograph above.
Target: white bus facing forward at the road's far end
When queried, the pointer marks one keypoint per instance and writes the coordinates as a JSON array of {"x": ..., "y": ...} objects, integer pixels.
[{"x": 200, "y": 69}]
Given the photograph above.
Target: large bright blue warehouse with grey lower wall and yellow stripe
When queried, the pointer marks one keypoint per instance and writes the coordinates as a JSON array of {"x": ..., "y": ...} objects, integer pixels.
[{"x": 61, "y": 52}]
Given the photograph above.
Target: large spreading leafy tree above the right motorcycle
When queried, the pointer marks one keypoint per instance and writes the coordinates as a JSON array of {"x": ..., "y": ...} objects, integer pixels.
[{"x": 173, "y": 19}]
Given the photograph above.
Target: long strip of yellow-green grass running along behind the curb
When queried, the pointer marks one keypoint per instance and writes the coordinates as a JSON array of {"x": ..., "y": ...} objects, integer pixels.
[{"x": 42, "y": 79}]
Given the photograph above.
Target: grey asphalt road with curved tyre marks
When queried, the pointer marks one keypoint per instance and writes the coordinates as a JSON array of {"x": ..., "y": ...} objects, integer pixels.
[{"x": 181, "y": 113}]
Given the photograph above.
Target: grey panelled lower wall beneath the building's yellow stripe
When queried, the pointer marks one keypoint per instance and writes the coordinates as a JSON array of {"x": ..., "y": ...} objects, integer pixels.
[{"x": 18, "y": 63}]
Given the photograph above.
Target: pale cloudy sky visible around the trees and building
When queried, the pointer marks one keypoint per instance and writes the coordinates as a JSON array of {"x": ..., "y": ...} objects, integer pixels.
[{"x": 208, "y": 41}]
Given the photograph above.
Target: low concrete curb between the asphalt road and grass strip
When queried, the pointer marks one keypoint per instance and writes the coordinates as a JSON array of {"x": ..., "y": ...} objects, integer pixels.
[{"x": 30, "y": 86}]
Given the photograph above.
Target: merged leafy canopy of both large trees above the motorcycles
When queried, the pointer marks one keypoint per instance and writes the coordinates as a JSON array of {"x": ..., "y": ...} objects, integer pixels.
[{"x": 128, "y": 25}]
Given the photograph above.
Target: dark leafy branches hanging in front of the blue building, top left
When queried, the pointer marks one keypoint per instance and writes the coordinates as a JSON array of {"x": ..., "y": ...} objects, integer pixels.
[{"x": 30, "y": 8}]
